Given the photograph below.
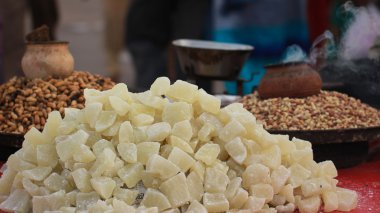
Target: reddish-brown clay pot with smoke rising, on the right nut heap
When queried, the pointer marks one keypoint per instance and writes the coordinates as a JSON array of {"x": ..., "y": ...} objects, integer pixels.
[{"x": 293, "y": 80}]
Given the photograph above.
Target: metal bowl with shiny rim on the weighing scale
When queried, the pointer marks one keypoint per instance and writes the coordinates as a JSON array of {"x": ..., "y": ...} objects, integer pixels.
[{"x": 211, "y": 60}]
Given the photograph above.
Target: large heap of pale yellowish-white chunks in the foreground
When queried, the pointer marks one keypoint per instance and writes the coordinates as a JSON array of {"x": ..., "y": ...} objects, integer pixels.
[{"x": 170, "y": 149}]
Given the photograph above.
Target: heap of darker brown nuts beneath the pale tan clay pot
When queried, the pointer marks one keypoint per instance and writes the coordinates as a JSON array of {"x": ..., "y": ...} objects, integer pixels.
[{"x": 25, "y": 103}]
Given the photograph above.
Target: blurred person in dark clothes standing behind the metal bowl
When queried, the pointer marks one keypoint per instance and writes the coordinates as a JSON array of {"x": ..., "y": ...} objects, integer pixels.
[{"x": 152, "y": 25}]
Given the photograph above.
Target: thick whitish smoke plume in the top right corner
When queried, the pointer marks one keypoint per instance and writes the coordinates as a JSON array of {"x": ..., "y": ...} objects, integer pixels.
[{"x": 361, "y": 32}]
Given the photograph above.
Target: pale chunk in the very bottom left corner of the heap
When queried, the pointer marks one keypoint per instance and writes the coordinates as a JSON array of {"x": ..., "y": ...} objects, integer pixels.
[{"x": 17, "y": 201}]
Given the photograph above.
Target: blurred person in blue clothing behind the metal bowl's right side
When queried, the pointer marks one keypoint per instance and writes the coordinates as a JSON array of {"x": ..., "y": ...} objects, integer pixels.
[{"x": 268, "y": 25}]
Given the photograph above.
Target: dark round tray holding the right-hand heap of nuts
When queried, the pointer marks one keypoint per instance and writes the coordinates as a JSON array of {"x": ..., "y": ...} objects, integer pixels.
[{"x": 346, "y": 147}]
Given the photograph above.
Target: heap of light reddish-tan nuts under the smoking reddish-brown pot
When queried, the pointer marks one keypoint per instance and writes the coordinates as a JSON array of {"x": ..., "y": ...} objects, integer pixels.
[{"x": 327, "y": 110}]
